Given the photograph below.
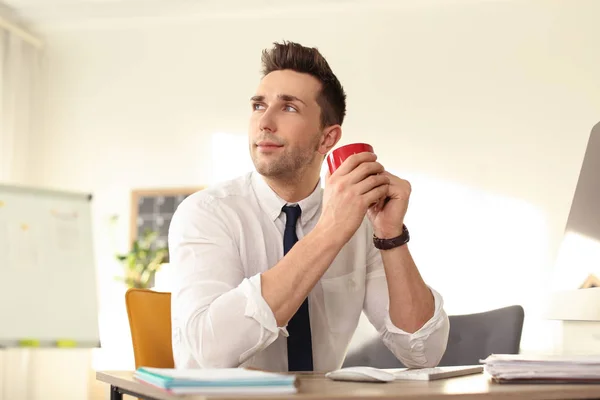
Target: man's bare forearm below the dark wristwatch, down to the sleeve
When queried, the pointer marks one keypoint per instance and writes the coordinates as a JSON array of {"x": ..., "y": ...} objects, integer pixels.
[{"x": 411, "y": 301}]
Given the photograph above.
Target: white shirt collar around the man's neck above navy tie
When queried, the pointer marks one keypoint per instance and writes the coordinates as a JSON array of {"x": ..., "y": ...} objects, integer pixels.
[{"x": 272, "y": 204}]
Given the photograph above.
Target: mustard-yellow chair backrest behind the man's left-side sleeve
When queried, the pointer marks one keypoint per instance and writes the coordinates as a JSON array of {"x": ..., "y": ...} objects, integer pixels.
[{"x": 149, "y": 315}]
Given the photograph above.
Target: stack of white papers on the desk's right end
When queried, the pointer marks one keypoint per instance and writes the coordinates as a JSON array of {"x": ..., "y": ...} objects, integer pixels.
[{"x": 543, "y": 368}]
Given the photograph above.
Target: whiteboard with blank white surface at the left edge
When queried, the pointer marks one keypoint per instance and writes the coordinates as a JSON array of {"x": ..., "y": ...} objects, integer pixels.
[{"x": 48, "y": 285}]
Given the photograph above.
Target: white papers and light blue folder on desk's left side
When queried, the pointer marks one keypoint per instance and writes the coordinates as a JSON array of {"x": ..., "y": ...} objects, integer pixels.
[{"x": 224, "y": 380}]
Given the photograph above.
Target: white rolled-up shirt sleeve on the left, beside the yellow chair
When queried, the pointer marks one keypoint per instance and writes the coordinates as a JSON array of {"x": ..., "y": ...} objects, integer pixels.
[{"x": 218, "y": 315}]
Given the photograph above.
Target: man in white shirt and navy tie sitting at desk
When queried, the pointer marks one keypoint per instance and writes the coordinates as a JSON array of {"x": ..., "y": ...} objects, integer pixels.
[{"x": 270, "y": 270}]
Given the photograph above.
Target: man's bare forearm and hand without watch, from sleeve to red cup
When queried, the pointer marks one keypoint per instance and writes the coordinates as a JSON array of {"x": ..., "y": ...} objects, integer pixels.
[{"x": 349, "y": 191}]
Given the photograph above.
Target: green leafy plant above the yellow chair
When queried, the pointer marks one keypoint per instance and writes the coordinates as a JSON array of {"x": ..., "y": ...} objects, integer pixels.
[{"x": 142, "y": 261}]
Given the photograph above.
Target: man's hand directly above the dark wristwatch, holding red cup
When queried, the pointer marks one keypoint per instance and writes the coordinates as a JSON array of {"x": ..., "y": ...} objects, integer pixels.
[{"x": 387, "y": 216}]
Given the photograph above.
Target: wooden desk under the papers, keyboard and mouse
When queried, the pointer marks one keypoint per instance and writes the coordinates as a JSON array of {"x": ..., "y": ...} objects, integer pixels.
[{"x": 316, "y": 386}]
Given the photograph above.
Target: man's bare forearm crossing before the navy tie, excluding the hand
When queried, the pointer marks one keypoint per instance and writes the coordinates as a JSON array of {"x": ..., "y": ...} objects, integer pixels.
[{"x": 285, "y": 286}]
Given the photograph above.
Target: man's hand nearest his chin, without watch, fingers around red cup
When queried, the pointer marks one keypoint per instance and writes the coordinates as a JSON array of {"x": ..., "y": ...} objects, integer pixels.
[{"x": 360, "y": 182}]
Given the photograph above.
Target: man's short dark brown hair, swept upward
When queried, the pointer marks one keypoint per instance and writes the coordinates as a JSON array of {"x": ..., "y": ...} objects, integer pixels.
[{"x": 308, "y": 60}]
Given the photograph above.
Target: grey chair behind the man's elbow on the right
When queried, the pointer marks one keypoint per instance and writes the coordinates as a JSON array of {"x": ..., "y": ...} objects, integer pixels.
[{"x": 472, "y": 337}]
